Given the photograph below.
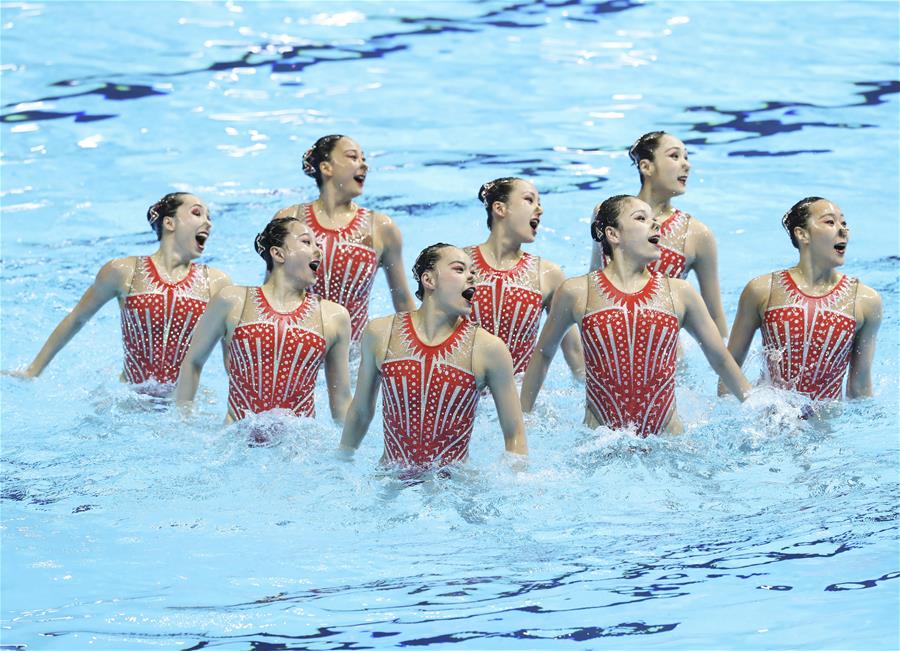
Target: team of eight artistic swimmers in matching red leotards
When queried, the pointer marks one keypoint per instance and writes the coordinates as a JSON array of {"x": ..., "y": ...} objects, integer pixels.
[{"x": 477, "y": 325}]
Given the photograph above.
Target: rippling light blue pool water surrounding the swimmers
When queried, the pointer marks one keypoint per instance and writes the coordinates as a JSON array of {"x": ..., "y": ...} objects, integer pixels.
[{"x": 125, "y": 528}]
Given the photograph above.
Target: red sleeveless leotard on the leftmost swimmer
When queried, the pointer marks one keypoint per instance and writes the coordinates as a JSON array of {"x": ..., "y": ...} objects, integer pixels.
[{"x": 158, "y": 319}]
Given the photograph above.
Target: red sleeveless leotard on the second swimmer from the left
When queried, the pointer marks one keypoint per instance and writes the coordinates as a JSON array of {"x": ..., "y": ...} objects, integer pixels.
[{"x": 274, "y": 357}]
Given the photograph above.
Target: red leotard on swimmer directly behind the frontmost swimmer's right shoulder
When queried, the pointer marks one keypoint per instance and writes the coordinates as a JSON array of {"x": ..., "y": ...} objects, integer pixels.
[{"x": 507, "y": 303}]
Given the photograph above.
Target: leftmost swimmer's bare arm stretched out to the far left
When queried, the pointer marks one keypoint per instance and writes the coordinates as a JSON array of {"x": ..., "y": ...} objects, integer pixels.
[{"x": 112, "y": 281}]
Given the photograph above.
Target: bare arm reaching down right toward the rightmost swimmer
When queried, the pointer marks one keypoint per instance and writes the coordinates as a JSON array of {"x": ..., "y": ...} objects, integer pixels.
[{"x": 699, "y": 324}]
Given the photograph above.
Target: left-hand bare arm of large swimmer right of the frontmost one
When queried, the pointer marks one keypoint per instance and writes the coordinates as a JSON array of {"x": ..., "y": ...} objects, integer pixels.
[{"x": 562, "y": 317}]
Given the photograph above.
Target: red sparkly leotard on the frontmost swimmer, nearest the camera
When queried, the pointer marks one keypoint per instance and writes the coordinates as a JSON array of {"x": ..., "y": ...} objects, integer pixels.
[{"x": 428, "y": 395}]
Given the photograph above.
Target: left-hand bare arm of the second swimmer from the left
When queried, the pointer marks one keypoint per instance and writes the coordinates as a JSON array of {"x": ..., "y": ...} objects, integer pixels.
[{"x": 216, "y": 323}]
